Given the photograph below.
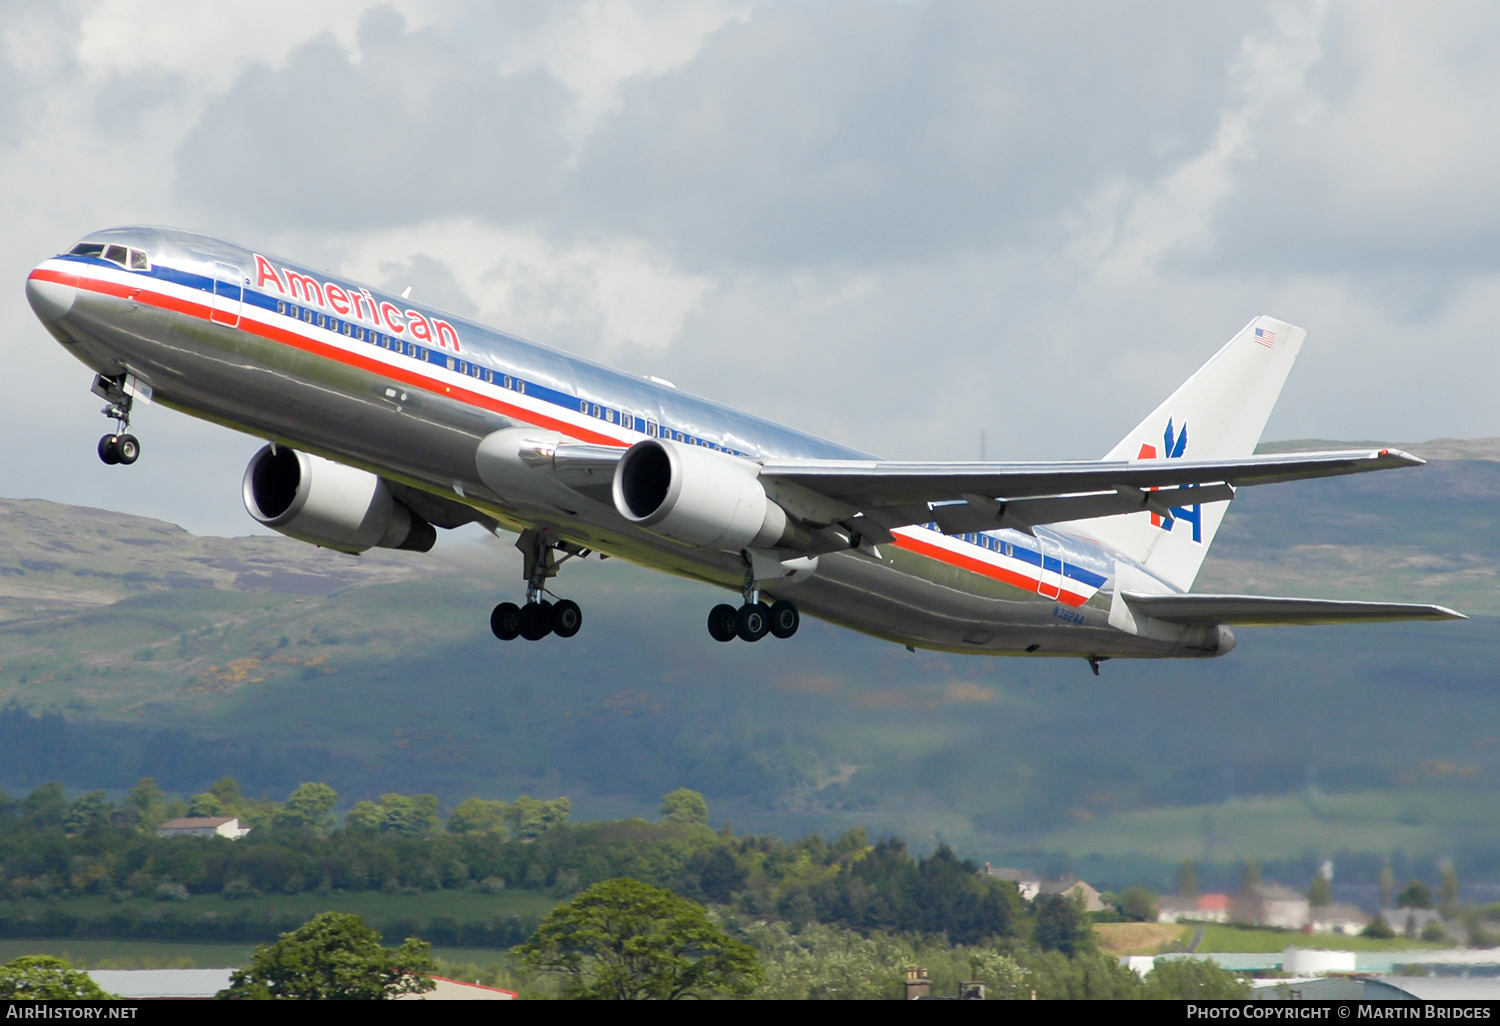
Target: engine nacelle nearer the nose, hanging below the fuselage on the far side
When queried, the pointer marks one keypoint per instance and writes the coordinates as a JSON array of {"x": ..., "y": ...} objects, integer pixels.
[{"x": 329, "y": 505}]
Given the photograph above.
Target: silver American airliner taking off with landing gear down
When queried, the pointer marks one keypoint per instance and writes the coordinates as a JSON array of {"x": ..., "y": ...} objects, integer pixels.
[{"x": 386, "y": 419}]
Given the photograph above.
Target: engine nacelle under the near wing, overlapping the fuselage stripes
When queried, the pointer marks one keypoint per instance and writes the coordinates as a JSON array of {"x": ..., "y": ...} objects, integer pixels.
[{"x": 698, "y": 496}]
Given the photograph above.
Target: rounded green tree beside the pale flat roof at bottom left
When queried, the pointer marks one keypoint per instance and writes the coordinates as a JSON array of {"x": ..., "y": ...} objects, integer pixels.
[{"x": 334, "y": 958}]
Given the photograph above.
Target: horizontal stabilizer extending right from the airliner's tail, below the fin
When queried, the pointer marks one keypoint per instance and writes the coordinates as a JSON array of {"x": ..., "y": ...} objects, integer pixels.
[{"x": 1261, "y": 611}]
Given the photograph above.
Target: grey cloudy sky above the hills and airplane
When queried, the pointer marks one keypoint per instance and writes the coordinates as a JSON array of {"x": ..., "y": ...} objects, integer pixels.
[{"x": 893, "y": 224}]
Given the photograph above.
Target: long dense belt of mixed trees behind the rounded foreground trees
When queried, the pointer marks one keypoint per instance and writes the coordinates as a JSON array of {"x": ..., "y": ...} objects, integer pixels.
[{"x": 56, "y": 847}]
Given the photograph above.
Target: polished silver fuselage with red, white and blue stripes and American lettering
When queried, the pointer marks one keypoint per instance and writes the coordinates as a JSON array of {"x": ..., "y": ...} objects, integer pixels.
[{"x": 409, "y": 394}]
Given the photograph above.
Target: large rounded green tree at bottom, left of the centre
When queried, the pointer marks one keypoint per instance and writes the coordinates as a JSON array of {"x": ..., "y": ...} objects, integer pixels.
[{"x": 628, "y": 941}]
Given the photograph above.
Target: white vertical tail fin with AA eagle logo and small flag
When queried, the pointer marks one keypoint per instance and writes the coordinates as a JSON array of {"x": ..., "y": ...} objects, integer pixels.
[{"x": 1219, "y": 413}]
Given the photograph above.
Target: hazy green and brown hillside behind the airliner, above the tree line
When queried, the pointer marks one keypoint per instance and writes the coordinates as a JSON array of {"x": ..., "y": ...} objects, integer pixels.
[{"x": 160, "y": 653}]
